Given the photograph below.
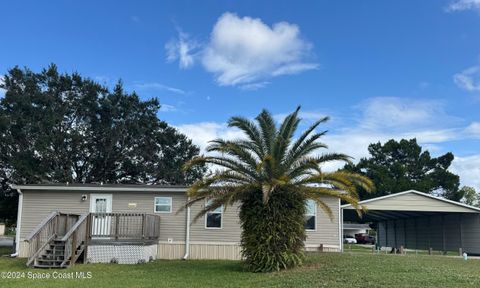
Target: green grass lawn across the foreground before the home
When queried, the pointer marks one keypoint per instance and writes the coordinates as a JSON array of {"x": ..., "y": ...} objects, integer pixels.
[{"x": 320, "y": 270}]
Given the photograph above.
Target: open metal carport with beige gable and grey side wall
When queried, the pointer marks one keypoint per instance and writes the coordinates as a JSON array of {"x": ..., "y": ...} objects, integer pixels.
[{"x": 416, "y": 220}]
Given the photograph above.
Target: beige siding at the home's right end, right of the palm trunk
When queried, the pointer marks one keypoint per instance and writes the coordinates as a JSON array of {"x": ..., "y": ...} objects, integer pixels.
[{"x": 327, "y": 232}]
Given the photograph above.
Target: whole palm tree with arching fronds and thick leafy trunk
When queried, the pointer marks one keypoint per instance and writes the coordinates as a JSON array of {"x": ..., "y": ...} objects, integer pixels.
[{"x": 271, "y": 175}]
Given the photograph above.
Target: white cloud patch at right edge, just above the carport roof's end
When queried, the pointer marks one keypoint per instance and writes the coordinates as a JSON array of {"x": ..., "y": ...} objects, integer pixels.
[{"x": 468, "y": 168}]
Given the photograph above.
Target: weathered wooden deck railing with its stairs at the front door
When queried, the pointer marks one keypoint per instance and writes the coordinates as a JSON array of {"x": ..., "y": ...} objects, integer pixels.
[{"x": 61, "y": 239}]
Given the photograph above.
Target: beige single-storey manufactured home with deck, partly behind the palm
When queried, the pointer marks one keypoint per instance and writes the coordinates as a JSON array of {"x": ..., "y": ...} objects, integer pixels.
[{"x": 61, "y": 224}]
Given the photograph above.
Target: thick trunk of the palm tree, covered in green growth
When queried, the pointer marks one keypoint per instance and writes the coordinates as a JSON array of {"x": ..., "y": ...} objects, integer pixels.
[{"x": 273, "y": 233}]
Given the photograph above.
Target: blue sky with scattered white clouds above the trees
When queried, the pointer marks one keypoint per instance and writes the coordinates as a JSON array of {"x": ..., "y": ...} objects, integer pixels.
[{"x": 380, "y": 69}]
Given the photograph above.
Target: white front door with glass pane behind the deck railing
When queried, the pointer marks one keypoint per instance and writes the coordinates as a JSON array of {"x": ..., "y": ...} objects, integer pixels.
[{"x": 101, "y": 222}]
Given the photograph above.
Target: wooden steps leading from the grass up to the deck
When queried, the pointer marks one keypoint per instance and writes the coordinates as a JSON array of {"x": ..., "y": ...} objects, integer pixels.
[{"x": 54, "y": 255}]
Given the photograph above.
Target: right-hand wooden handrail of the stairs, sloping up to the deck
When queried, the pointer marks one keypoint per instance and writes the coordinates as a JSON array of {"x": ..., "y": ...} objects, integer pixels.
[{"x": 73, "y": 239}]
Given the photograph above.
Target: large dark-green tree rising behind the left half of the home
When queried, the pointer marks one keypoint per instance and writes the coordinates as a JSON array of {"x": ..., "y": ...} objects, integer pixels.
[{"x": 66, "y": 128}]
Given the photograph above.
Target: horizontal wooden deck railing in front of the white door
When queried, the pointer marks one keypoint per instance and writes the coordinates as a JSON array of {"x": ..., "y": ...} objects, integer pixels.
[{"x": 124, "y": 226}]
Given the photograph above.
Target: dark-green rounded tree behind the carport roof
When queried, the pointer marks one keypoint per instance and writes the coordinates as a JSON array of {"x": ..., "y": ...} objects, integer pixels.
[{"x": 399, "y": 166}]
